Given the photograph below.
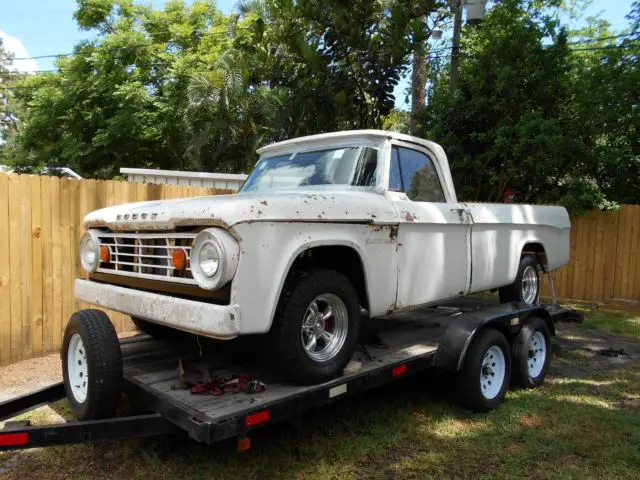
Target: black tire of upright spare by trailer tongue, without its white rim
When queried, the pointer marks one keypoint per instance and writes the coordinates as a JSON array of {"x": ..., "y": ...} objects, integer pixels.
[{"x": 104, "y": 364}]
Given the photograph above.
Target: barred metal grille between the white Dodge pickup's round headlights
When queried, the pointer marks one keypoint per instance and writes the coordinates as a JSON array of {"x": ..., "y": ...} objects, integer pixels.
[{"x": 147, "y": 255}]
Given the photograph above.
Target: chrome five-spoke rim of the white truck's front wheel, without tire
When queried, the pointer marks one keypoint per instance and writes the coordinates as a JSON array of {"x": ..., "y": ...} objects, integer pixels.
[{"x": 324, "y": 328}]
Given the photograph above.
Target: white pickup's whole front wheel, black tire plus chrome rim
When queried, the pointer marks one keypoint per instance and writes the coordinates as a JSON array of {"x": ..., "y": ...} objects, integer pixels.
[{"x": 316, "y": 327}]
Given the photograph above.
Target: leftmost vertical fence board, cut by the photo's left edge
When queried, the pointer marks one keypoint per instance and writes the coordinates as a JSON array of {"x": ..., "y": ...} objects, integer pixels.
[{"x": 5, "y": 273}]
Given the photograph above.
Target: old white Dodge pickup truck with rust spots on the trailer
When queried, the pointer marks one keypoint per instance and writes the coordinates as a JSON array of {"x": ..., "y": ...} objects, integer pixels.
[{"x": 326, "y": 226}]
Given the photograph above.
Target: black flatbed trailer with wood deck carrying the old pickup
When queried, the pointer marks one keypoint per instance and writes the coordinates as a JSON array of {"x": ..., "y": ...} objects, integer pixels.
[{"x": 154, "y": 372}]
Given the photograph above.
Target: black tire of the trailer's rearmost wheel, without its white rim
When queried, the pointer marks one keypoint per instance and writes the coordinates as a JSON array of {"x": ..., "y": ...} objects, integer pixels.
[{"x": 520, "y": 353}]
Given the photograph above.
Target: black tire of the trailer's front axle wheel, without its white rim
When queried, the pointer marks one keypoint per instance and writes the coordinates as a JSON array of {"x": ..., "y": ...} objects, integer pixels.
[{"x": 467, "y": 382}]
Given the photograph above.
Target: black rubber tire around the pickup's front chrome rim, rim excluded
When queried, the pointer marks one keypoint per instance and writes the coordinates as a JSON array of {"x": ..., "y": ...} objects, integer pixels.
[{"x": 285, "y": 335}]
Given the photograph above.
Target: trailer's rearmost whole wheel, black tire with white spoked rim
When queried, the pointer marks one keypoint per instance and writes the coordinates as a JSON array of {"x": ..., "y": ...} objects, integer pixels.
[{"x": 531, "y": 353}]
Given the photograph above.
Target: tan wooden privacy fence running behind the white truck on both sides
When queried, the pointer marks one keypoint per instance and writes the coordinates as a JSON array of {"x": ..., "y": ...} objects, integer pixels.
[{"x": 41, "y": 225}]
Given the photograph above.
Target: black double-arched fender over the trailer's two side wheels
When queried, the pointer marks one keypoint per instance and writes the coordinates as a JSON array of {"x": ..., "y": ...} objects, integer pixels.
[{"x": 460, "y": 334}]
